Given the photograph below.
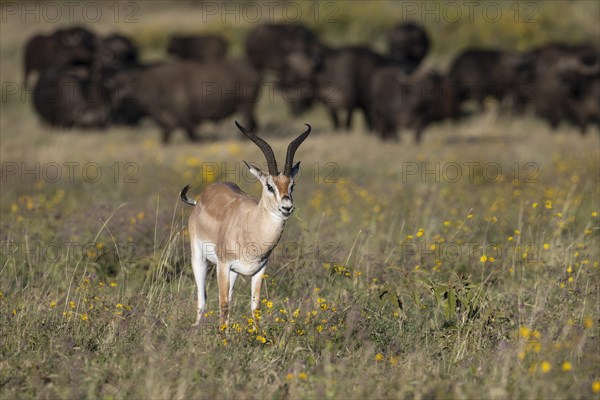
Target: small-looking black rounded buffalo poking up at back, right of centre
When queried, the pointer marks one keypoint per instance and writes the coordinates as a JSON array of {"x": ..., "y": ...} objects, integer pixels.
[{"x": 408, "y": 45}]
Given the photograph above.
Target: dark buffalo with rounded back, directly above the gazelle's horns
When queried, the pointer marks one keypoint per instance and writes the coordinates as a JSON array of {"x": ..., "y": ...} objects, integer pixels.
[{"x": 269, "y": 45}]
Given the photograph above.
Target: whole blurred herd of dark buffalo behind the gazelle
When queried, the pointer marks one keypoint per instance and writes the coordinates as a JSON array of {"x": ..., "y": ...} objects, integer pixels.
[{"x": 87, "y": 81}]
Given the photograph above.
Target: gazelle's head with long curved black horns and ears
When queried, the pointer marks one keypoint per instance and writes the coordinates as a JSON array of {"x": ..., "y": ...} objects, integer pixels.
[{"x": 277, "y": 186}]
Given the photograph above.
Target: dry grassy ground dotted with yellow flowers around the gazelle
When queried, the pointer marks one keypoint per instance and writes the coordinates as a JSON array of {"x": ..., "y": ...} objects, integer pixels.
[{"x": 466, "y": 267}]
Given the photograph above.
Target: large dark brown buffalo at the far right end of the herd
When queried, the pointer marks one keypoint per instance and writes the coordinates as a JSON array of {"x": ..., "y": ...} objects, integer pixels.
[{"x": 542, "y": 84}]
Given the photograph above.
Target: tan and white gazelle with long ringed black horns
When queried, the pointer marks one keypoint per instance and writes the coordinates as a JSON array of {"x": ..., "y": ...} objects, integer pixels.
[{"x": 238, "y": 232}]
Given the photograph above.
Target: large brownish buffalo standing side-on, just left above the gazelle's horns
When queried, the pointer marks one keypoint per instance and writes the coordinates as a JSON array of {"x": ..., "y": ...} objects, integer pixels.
[{"x": 185, "y": 94}]
